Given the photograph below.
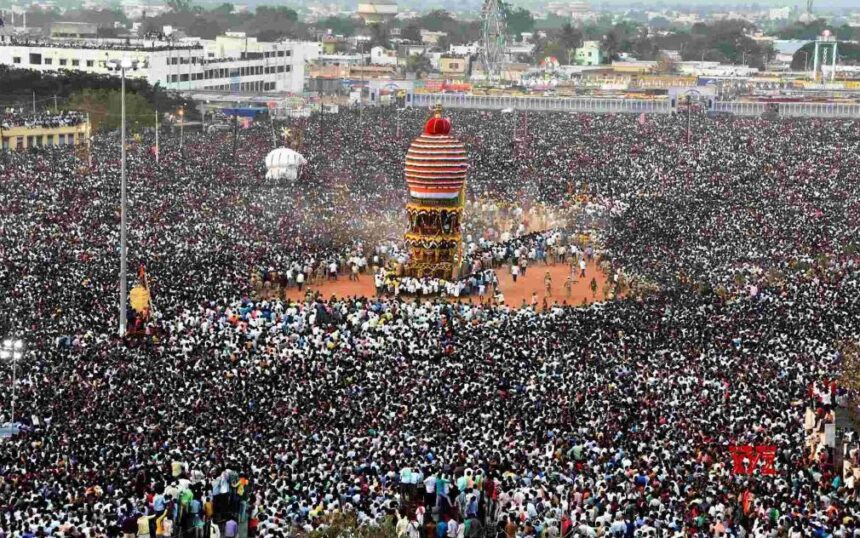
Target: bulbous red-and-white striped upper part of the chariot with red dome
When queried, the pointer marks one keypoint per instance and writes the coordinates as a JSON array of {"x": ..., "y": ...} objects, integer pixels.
[{"x": 436, "y": 162}]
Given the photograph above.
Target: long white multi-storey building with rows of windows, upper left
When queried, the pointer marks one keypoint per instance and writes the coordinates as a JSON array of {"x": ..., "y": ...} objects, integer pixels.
[{"x": 230, "y": 63}]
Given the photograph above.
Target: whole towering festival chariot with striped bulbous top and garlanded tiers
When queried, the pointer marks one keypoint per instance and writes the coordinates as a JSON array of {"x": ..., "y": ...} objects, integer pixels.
[{"x": 436, "y": 165}]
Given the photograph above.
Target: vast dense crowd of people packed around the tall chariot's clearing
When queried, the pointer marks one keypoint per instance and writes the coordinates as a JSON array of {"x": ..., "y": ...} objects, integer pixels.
[{"x": 436, "y": 418}]
